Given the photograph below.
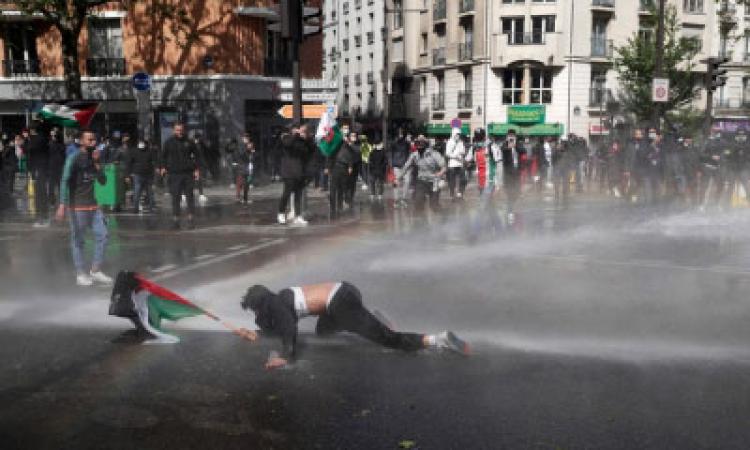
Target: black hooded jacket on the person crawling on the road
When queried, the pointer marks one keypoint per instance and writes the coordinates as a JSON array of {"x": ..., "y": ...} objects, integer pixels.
[{"x": 274, "y": 315}]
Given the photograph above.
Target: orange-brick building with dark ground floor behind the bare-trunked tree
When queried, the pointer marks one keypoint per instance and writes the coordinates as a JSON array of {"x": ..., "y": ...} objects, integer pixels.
[{"x": 223, "y": 70}]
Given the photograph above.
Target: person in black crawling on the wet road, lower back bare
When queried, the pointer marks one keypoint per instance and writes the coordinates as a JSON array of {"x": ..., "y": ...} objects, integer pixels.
[{"x": 338, "y": 307}]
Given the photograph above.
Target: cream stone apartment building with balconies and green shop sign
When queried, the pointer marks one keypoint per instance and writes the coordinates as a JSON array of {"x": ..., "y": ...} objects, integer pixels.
[{"x": 541, "y": 67}]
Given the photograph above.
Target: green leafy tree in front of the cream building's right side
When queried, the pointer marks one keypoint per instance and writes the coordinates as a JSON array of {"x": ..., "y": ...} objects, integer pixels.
[{"x": 635, "y": 64}]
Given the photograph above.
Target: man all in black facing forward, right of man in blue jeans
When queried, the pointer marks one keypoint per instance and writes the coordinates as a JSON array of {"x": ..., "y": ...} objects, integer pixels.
[{"x": 181, "y": 160}]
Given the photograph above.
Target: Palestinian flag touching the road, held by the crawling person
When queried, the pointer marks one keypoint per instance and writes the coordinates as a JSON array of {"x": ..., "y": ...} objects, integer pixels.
[{"x": 147, "y": 304}]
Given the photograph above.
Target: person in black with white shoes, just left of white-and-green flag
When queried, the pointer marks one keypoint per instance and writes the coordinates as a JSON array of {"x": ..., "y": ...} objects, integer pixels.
[{"x": 293, "y": 161}]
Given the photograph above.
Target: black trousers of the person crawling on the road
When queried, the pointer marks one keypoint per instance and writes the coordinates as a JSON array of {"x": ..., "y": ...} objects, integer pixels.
[{"x": 346, "y": 313}]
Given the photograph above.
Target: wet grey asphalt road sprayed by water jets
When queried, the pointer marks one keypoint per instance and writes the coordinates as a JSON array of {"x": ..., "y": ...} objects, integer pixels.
[{"x": 593, "y": 327}]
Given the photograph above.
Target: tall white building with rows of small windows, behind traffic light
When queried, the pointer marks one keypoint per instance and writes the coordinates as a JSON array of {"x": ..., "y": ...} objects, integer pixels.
[{"x": 354, "y": 58}]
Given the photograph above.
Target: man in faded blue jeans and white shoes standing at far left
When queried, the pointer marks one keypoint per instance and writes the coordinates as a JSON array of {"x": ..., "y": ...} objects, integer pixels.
[{"x": 82, "y": 170}]
